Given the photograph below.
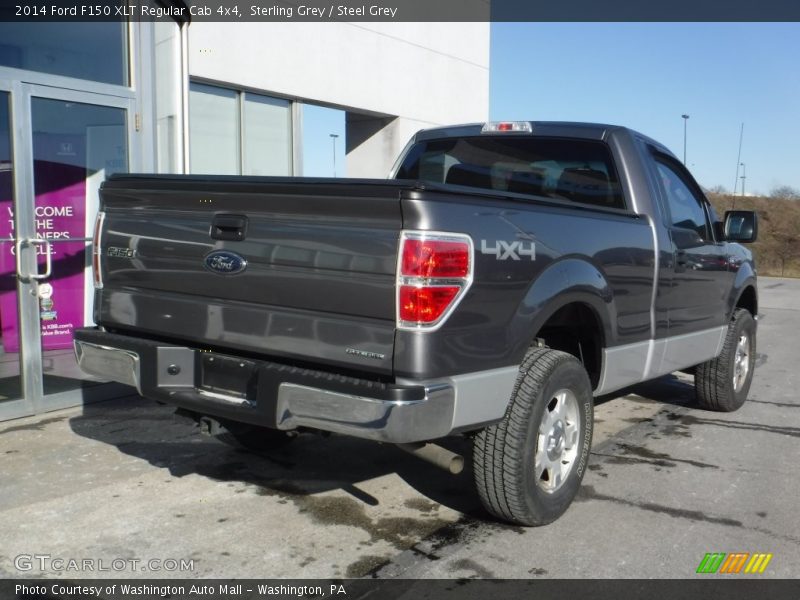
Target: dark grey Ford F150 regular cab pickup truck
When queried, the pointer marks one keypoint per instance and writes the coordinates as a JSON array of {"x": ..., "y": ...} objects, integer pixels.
[{"x": 502, "y": 277}]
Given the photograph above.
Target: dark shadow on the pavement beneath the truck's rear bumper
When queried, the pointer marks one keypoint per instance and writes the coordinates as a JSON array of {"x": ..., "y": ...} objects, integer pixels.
[{"x": 311, "y": 464}]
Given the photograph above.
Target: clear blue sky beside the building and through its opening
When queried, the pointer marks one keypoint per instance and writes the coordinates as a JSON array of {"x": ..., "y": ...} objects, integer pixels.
[{"x": 645, "y": 76}]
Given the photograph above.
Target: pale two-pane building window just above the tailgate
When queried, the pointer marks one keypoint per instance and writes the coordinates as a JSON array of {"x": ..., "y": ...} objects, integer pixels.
[{"x": 262, "y": 145}]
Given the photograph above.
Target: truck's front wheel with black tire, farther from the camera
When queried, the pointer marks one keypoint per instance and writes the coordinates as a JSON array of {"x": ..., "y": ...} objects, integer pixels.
[{"x": 722, "y": 383}]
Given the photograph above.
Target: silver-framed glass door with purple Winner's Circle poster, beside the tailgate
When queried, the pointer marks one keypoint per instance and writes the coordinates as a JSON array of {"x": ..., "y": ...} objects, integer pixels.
[{"x": 73, "y": 141}]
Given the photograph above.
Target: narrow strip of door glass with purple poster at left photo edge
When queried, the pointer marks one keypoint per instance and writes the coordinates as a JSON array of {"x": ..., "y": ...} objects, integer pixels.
[{"x": 10, "y": 387}]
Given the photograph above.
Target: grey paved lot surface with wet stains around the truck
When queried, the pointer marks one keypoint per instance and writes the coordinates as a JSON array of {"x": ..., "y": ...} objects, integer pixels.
[{"x": 138, "y": 492}]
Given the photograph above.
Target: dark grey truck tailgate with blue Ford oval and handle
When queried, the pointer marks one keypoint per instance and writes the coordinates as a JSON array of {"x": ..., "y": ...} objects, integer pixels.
[{"x": 319, "y": 265}]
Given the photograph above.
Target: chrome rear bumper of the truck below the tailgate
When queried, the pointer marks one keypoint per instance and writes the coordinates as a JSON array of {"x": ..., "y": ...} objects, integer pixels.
[{"x": 297, "y": 405}]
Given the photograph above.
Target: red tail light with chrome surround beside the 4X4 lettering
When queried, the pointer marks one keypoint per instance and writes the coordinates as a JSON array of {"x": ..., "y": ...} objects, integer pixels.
[{"x": 434, "y": 271}]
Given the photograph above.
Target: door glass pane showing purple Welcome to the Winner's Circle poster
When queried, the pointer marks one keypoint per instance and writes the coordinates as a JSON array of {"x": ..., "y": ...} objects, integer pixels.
[{"x": 75, "y": 147}]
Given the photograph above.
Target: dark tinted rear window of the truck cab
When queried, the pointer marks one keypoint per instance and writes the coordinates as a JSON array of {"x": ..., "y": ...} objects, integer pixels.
[{"x": 565, "y": 169}]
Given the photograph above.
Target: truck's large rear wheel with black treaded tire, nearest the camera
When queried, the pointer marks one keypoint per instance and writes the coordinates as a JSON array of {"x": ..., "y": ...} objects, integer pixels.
[{"x": 505, "y": 454}]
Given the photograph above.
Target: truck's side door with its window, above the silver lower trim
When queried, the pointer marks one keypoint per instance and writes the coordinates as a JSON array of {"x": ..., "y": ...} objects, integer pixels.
[{"x": 695, "y": 294}]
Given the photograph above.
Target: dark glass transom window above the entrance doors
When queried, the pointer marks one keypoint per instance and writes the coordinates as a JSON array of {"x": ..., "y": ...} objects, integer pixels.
[{"x": 96, "y": 50}]
